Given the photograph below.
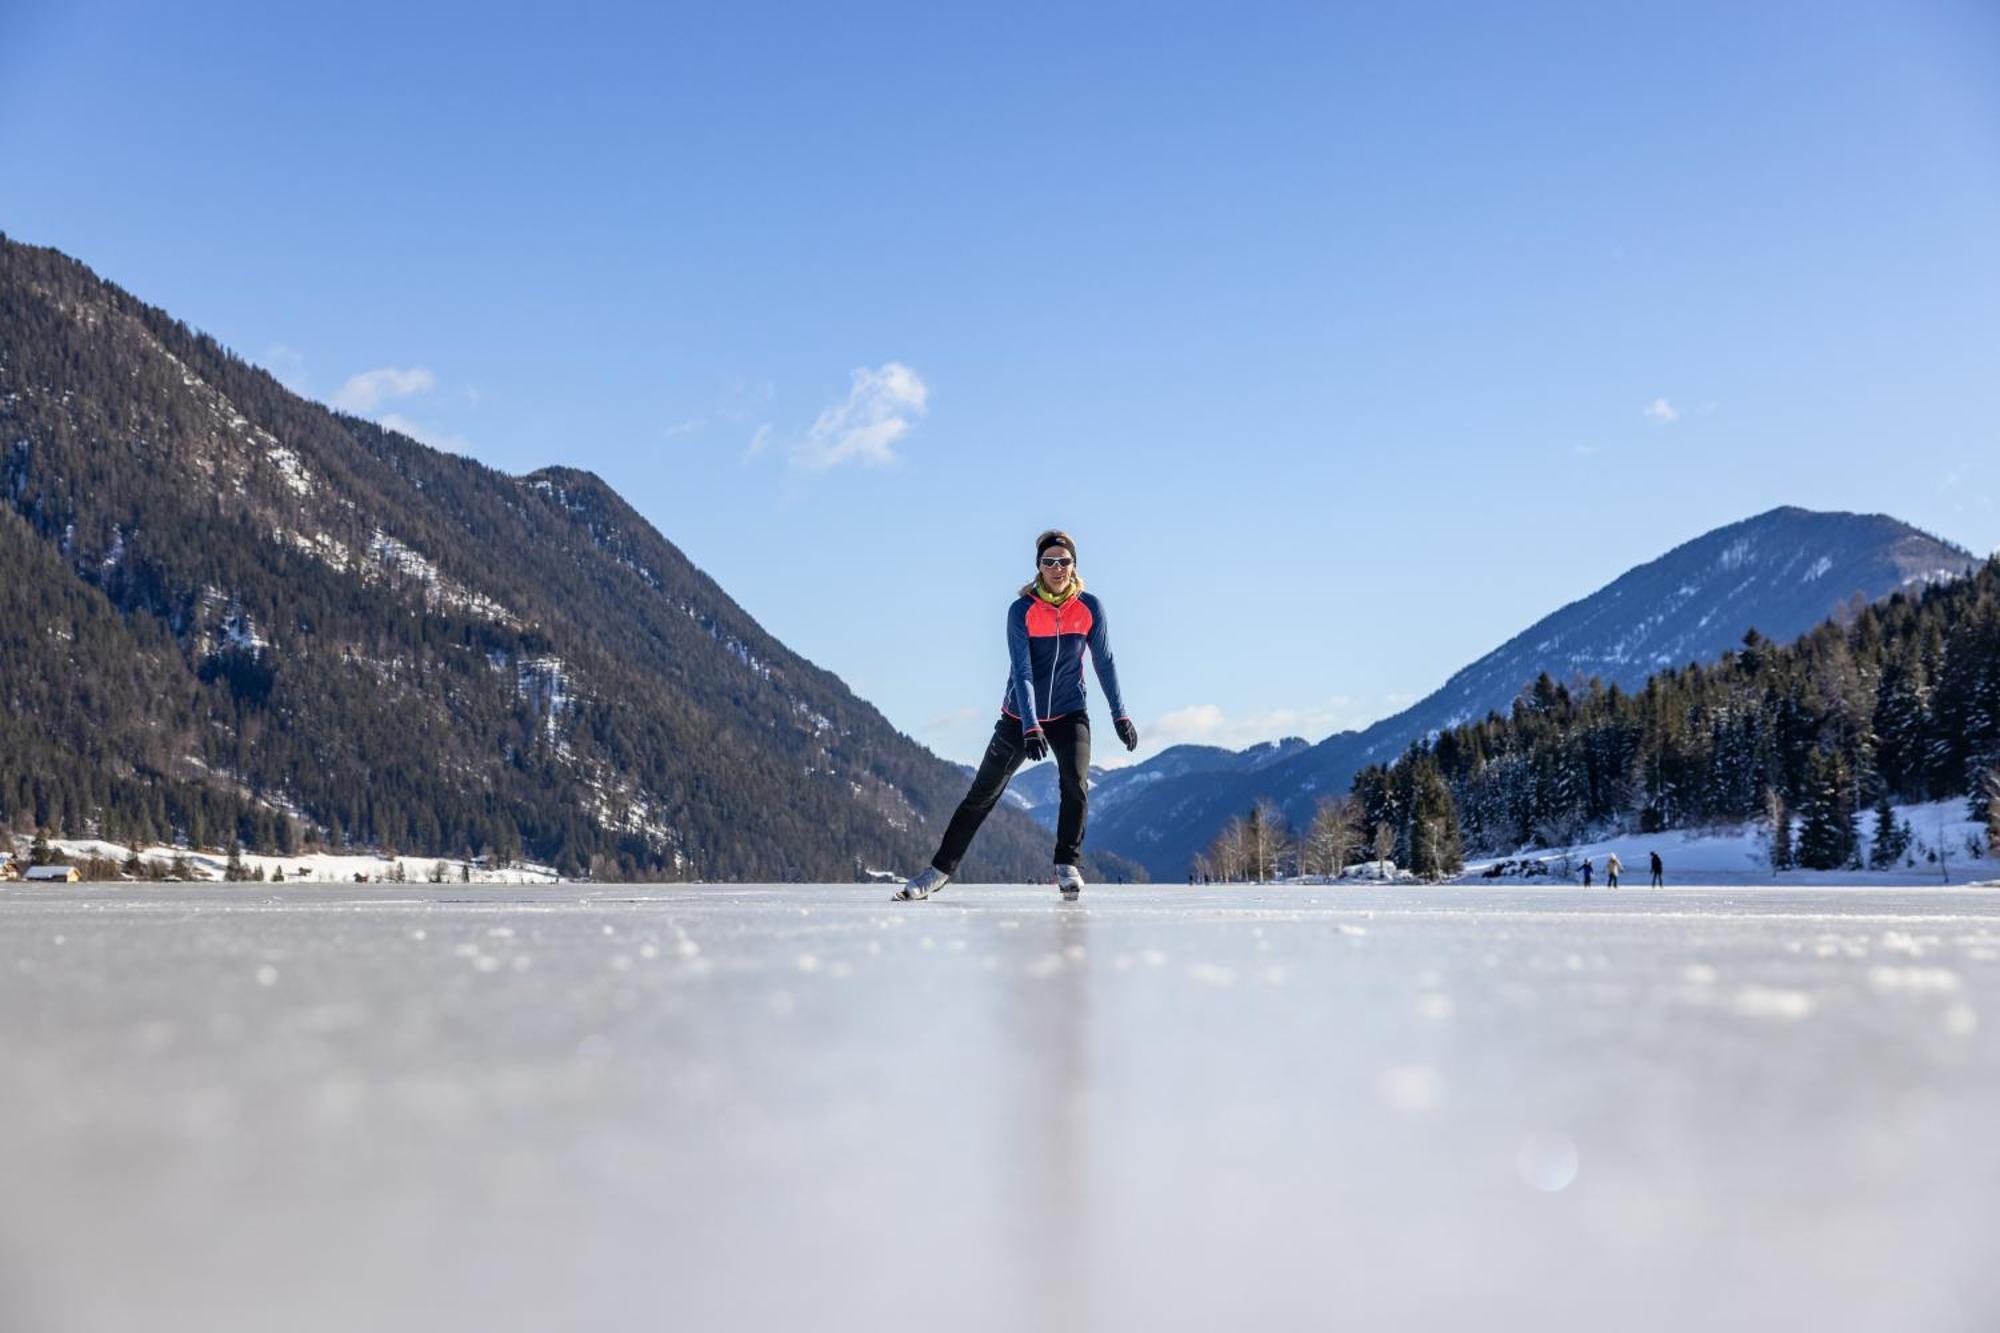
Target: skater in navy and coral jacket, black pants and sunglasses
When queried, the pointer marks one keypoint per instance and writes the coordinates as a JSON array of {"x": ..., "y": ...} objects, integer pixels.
[{"x": 1043, "y": 712}]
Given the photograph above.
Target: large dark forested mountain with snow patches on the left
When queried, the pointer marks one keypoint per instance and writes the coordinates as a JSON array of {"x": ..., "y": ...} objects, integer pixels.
[{"x": 235, "y": 613}]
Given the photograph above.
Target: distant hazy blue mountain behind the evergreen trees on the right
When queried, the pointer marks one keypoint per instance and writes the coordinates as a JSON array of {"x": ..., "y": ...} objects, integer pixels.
[{"x": 1779, "y": 573}]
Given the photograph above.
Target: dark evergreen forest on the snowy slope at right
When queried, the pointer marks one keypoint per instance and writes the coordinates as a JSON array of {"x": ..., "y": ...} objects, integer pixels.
[{"x": 1899, "y": 704}]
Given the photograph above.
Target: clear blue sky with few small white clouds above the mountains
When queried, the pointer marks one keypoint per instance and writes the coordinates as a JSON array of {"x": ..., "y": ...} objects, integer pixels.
[{"x": 1347, "y": 339}]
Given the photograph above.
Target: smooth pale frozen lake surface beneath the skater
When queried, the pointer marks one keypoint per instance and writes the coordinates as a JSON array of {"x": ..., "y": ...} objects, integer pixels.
[{"x": 481, "y": 1108}]
